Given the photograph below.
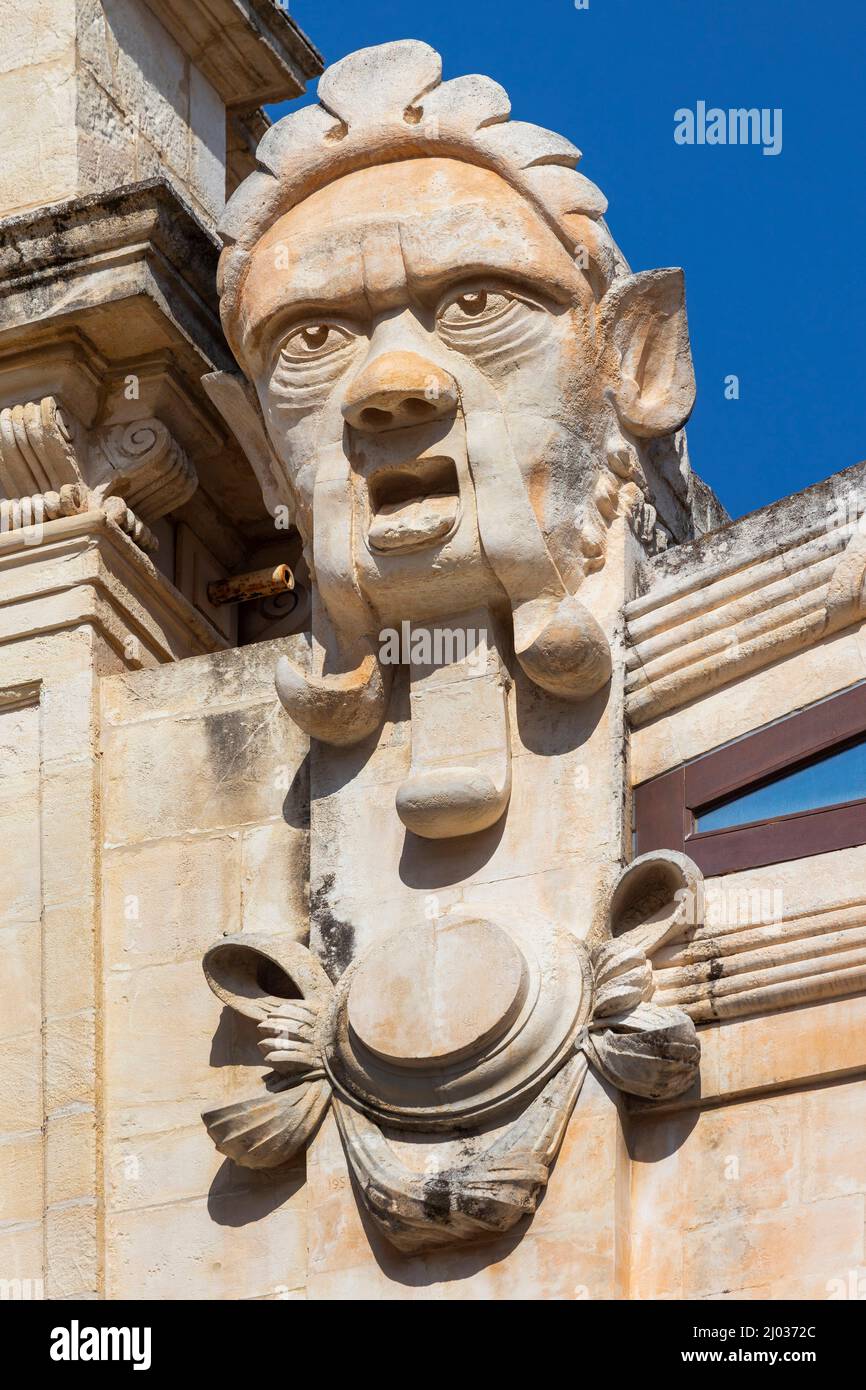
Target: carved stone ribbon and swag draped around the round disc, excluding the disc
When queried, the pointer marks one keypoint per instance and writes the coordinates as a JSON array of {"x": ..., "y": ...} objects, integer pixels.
[{"x": 637, "y": 1046}]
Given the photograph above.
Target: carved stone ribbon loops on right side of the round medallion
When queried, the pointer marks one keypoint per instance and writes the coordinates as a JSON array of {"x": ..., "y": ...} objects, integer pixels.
[{"x": 642, "y": 1047}]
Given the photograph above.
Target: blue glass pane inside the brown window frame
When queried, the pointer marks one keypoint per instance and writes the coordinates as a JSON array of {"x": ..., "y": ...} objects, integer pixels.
[{"x": 829, "y": 782}]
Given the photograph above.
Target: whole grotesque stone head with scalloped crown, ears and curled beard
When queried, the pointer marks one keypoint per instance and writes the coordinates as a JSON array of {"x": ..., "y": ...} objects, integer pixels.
[{"x": 457, "y": 382}]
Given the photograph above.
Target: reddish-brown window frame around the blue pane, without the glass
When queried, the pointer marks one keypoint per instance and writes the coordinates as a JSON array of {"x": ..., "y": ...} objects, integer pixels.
[{"x": 665, "y": 808}]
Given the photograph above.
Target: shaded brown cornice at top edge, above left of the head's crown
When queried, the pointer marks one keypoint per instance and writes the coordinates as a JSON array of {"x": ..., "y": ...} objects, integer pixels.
[{"x": 251, "y": 51}]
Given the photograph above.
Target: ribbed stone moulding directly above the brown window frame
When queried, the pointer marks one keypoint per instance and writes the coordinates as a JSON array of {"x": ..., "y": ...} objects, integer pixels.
[{"x": 747, "y": 596}]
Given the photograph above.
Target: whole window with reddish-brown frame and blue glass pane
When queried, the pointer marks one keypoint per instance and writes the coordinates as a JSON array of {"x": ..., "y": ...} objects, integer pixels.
[{"x": 794, "y": 789}]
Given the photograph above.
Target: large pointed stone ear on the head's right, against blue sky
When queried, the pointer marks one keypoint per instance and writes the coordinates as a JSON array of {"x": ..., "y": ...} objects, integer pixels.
[{"x": 647, "y": 338}]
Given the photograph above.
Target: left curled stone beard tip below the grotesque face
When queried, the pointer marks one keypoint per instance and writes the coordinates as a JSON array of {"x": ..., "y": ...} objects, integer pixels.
[{"x": 340, "y": 708}]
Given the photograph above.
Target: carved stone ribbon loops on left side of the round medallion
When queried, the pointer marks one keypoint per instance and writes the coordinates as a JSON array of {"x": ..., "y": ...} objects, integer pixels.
[{"x": 283, "y": 988}]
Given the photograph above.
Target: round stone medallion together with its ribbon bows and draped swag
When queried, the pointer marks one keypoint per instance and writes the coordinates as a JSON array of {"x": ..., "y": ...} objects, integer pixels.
[{"x": 469, "y": 1028}]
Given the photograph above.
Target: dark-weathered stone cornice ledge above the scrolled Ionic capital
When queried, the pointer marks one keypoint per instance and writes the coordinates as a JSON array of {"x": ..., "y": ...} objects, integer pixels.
[{"x": 111, "y": 284}]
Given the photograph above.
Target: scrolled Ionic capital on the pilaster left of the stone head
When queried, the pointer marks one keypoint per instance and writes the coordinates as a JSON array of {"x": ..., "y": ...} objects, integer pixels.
[{"x": 52, "y": 466}]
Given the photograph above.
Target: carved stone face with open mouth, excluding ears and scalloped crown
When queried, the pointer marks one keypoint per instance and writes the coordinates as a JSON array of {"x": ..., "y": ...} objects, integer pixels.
[{"x": 416, "y": 334}]
